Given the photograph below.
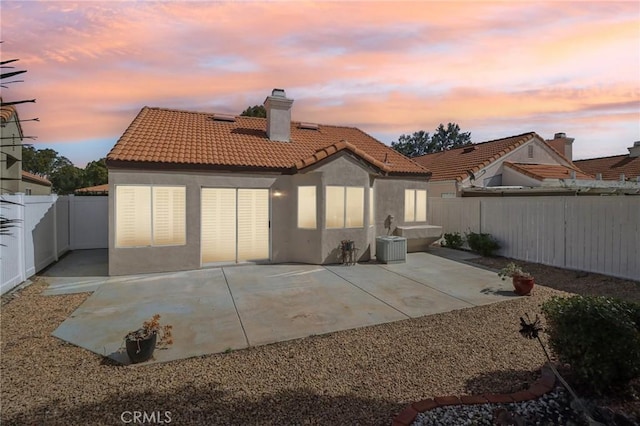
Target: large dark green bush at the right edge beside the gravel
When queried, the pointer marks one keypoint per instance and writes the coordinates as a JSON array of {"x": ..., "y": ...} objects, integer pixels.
[{"x": 598, "y": 336}]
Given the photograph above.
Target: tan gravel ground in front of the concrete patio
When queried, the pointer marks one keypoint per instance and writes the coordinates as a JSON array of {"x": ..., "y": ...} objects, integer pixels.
[{"x": 361, "y": 376}]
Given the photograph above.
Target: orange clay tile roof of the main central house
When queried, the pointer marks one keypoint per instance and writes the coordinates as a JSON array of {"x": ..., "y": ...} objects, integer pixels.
[{"x": 191, "y": 139}]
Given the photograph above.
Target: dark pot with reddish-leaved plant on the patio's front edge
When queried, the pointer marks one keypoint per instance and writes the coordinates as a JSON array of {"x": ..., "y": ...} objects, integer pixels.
[{"x": 141, "y": 343}]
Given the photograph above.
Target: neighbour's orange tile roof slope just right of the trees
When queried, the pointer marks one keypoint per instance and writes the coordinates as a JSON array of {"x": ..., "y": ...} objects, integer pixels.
[{"x": 454, "y": 163}]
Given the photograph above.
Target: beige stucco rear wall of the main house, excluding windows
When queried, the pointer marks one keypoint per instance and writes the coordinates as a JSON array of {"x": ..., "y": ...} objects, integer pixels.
[{"x": 288, "y": 243}]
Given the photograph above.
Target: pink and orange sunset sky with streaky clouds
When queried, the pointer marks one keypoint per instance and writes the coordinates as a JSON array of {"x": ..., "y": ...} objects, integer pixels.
[{"x": 495, "y": 68}]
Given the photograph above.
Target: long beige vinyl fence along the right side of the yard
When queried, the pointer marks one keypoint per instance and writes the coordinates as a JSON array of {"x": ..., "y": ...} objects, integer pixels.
[{"x": 593, "y": 234}]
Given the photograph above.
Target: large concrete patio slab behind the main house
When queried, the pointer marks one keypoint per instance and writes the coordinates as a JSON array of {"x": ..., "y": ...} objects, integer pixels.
[{"x": 217, "y": 309}]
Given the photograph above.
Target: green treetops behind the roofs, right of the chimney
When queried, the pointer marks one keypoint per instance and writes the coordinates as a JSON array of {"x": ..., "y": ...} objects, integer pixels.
[{"x": 421, "y": 143}]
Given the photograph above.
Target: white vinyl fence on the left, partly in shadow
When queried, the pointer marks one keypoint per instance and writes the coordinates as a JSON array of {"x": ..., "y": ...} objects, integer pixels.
[{"x": 47, "y": 227}]
